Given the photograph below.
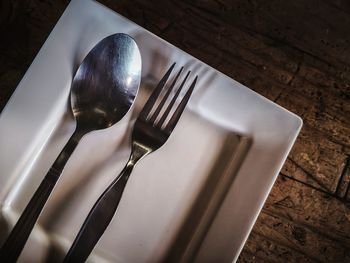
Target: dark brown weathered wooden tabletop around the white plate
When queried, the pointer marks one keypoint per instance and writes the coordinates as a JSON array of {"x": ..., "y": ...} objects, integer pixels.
[{"x": 296, "y": 53}]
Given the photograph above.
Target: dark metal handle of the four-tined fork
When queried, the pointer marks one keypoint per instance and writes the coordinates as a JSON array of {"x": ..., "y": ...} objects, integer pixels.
[{"x": 98, "y": 219}]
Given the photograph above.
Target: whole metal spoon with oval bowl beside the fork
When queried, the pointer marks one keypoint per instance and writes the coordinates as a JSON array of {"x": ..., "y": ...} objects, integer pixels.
[{"x": 103, "y": 90}]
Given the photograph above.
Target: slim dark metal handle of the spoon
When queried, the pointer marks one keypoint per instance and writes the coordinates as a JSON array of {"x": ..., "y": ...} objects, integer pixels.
[{"x": 18, "y": 237}]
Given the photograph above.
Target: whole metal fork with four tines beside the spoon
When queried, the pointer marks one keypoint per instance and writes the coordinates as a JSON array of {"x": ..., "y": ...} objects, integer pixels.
[{"x": 150, "y": 132}]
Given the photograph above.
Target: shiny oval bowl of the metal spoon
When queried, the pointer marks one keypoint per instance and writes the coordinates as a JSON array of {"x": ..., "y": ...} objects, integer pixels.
[{"x": 106, "y": 83}]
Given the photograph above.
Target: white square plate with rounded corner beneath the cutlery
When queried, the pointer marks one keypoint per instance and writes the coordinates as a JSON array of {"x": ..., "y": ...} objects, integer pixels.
[{"x": 195, "y": 199}]
